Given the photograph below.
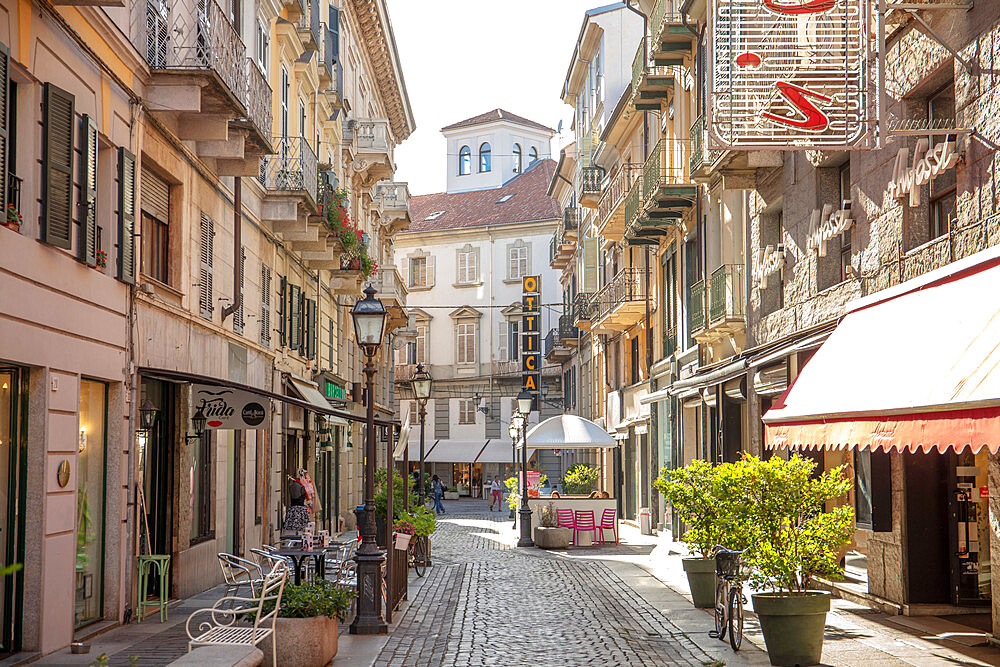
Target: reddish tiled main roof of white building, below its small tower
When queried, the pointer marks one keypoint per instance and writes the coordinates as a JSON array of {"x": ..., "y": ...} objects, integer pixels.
[{"x": 528, "y": 202}]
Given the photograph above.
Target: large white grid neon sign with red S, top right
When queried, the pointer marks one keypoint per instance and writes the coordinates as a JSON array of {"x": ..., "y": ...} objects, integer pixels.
[{"x": 793, "y": 74}]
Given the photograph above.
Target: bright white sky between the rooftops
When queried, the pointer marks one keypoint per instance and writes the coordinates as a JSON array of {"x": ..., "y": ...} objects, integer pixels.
[{"x": 526, "y": 50}]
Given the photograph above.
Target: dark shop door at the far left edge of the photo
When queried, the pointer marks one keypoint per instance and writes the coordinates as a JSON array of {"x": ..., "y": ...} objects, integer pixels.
[{"x": 13, "y": 444}]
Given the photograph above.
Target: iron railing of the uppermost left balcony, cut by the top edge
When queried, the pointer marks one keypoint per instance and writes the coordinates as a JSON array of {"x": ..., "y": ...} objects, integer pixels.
[{"x": 192, "y": 35}]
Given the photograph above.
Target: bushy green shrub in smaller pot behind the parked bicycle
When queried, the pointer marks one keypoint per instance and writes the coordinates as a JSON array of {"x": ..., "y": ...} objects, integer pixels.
[{"x": 700, "y": 499}]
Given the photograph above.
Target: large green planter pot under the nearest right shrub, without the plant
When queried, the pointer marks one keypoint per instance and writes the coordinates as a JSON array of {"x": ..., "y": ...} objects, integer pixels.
[{"x": 792, "y": 626}]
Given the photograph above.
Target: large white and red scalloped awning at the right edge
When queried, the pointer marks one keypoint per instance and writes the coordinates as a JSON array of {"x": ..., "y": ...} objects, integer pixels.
[{"x": 915, "y": 370}]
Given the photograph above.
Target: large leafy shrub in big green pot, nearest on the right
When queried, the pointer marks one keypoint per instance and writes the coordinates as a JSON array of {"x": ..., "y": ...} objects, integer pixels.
[{"x": 793, "y": 537}]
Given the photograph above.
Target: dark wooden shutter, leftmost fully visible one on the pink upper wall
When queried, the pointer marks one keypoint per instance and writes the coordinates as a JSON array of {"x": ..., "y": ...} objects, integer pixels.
[{"x": 57, "y": 167}]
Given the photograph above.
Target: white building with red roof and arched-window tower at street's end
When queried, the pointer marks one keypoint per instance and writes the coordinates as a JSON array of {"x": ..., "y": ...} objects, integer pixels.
[{"x": 462, "y": 260}]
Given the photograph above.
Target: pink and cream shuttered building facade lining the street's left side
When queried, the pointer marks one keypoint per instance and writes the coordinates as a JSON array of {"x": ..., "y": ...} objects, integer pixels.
[{"x": 212, "y": 196}]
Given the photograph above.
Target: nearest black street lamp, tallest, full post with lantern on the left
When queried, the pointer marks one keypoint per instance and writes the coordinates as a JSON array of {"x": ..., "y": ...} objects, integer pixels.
[{"x": 369, "y": 326}]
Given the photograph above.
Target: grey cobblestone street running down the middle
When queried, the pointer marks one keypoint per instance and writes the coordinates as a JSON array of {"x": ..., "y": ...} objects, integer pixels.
[{"x": 487, "y": 603}]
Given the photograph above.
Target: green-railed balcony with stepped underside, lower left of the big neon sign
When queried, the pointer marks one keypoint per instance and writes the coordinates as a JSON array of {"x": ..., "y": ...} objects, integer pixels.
[{"x": 666, "y": 195}]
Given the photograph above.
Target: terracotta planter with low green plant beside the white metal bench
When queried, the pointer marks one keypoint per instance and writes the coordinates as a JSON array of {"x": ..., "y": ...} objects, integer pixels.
[{"x": 307, "y": 624}]
